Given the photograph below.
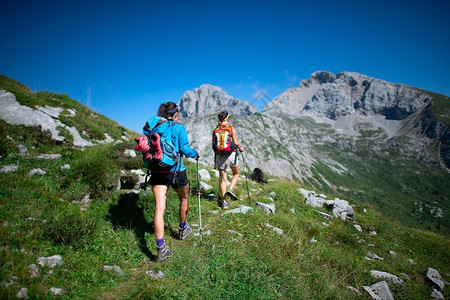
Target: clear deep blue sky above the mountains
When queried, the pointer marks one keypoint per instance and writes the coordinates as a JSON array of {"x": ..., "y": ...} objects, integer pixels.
[{"x": 134, "y": 55}]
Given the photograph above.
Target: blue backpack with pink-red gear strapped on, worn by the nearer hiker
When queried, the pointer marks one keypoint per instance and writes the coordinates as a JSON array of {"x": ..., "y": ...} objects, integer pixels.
[{"x": 157, "y": 144}]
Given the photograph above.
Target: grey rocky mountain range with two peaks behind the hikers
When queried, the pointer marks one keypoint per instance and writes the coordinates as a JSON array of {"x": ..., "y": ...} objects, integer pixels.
[{"x": 339, "y": 132}]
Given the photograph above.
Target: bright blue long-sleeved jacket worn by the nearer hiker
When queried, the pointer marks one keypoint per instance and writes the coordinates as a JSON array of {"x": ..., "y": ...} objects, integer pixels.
[{"x": 181, "y": 144}]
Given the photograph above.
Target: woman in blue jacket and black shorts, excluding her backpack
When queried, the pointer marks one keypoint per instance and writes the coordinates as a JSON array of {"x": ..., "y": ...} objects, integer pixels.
[{"x": 175, "y": 177}]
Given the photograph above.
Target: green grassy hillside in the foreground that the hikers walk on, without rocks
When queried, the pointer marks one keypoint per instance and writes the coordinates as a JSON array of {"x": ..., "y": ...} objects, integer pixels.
[{"x": 39, "y": 218}]
